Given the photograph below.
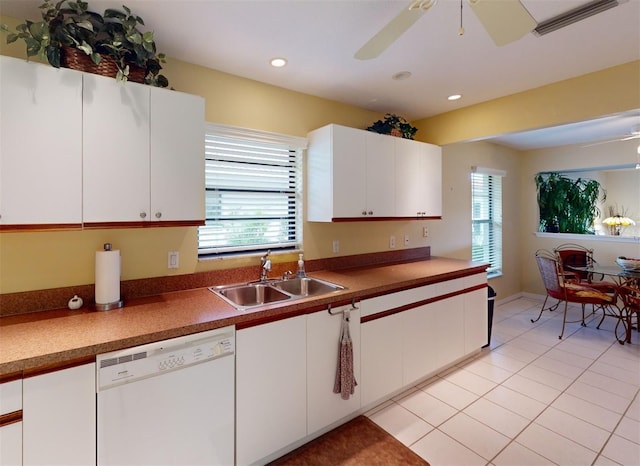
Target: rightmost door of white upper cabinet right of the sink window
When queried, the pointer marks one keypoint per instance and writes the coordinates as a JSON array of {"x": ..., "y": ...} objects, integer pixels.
[{"x": 418, "y": 179}]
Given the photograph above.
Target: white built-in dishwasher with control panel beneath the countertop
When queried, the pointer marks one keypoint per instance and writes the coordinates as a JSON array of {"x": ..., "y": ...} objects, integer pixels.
[{"x": 168, "y": 403}]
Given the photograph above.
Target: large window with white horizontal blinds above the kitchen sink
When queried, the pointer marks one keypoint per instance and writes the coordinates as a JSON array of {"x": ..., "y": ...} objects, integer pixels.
[{"x": 252, "y": 191}]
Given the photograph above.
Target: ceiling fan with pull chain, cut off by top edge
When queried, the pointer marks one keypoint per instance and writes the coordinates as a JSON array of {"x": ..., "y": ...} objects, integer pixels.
[{"x": 505, "y": 21}]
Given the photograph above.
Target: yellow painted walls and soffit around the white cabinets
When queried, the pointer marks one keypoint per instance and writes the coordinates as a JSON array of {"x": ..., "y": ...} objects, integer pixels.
[{"x": 30, "y": 261}]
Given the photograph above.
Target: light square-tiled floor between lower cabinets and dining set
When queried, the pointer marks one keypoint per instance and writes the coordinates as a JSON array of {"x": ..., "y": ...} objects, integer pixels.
[{"x": 528, "y": 399}]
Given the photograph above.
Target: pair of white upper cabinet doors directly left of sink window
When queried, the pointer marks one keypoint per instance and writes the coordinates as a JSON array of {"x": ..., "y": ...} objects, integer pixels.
[{"x": 143, "y": 153}]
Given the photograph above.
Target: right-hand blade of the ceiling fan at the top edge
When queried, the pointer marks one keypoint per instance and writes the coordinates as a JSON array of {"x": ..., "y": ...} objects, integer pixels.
[{"x": 505, "y": 20}]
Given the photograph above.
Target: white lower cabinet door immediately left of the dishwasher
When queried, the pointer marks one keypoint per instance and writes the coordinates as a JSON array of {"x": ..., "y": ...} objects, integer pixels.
[{"x": 59, "y": 417}]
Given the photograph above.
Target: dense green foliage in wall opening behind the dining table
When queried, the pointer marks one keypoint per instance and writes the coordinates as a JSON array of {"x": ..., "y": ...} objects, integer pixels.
[{"x": 567, "y": 205}]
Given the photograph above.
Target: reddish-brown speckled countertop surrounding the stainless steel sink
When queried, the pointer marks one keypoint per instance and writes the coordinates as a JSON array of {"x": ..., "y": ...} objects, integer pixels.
[{"x": 52, "y": 337}]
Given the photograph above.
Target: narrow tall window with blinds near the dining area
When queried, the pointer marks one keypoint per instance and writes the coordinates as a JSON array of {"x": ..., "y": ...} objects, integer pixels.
[{"x": 486, "y": 216}]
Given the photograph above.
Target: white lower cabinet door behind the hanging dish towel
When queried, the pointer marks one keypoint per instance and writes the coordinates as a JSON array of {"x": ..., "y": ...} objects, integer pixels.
[{"x": 323, "y": 331}]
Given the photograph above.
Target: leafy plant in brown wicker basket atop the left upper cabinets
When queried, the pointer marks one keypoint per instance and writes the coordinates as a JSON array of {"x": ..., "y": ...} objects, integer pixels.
[{"x": 109, "y": 44}]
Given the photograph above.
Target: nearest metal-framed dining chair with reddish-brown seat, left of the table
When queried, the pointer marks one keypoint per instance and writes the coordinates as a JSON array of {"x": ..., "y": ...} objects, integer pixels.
[{"x": 569, "y": 291}]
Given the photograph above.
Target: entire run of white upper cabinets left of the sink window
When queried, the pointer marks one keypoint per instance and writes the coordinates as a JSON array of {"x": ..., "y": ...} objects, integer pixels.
[{"x": 78, "y": 148}]
